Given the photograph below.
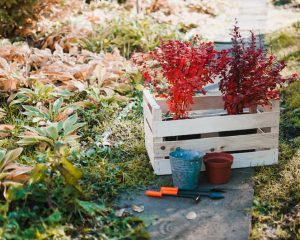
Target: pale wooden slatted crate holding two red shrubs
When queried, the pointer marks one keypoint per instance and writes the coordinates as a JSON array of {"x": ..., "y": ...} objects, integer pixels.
[{"x": 205, "y": 132}]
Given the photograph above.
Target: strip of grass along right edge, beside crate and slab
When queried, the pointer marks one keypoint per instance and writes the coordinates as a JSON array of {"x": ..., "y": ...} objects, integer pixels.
[{"x": 277, "y": 188}]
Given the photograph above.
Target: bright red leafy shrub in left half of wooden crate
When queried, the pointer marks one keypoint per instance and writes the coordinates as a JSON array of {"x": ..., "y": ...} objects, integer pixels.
[{"x": 187, "y": 67}]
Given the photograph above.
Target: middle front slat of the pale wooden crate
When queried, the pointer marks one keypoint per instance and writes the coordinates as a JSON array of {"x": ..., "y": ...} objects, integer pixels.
[{"x": 219, "y": 144}]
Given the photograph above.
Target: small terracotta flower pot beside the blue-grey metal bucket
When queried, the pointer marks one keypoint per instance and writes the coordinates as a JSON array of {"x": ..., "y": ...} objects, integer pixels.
[{"x": 218, "y": 167}]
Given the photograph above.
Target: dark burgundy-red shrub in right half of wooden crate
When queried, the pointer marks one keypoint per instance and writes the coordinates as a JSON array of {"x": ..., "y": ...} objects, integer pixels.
[{"x": 251, "y": 76}]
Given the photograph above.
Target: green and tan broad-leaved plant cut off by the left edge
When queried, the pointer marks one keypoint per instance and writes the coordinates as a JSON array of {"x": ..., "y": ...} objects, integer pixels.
[{"x": 11, "y": 174}]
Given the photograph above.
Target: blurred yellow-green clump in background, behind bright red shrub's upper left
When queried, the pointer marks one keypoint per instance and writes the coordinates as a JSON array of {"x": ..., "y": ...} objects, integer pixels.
[{"x": 129, "y": 35}]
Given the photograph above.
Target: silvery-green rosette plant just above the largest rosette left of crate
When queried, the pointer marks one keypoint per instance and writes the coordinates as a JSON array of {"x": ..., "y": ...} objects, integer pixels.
[{"x": 54, "y": 113}]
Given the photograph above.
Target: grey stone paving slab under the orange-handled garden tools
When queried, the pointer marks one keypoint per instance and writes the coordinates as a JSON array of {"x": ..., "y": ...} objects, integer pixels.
[{"x": 228, "y": 218}]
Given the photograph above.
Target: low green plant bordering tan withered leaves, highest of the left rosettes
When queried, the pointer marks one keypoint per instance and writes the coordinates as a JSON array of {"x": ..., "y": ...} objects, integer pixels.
[{"x": 39, "y": 93}]
